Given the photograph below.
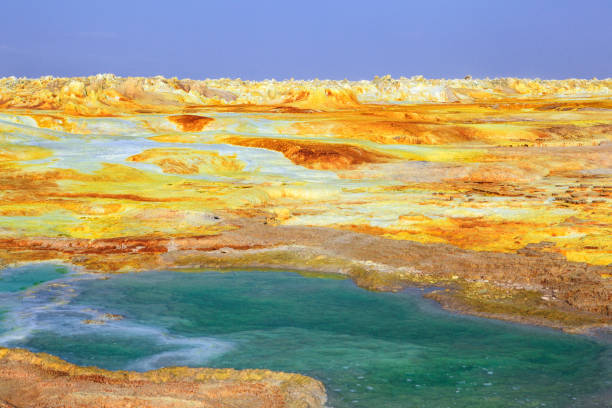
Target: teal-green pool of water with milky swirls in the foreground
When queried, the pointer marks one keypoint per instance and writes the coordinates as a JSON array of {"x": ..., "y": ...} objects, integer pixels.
[{"x": 370, "y": 349}]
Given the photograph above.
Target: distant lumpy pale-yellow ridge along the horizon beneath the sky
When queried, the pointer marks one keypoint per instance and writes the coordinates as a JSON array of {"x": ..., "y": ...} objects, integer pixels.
[{"x": 107, "y": 94}]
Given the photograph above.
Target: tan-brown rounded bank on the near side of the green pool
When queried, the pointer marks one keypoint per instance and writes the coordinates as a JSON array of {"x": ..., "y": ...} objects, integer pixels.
[{"x": 40, "y": 380}]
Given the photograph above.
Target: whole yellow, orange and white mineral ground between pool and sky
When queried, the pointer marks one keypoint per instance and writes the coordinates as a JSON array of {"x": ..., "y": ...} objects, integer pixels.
[{"x": 504, "y": 182}]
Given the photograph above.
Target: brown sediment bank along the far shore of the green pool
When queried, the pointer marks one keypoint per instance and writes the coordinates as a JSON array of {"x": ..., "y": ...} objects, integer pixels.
[{"x": 577, "y": 293}]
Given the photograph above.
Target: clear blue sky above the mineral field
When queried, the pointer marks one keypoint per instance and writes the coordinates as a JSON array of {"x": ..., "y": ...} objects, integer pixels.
[{"x": 307, "y": 39}]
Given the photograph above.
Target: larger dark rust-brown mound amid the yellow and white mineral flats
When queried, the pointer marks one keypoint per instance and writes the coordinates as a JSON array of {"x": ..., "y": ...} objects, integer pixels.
[{"x": 316, "y": 155}]
